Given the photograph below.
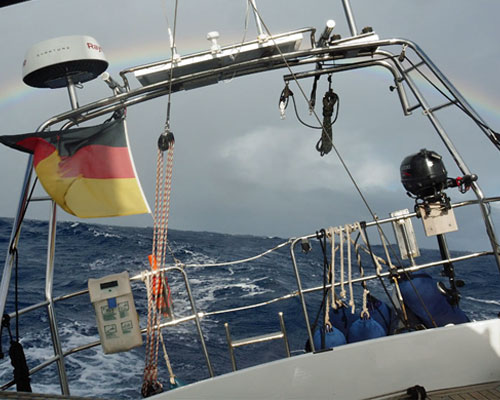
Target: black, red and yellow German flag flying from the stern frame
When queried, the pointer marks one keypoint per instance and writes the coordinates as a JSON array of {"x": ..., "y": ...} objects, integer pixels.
[{"x": 88, "y": 171}]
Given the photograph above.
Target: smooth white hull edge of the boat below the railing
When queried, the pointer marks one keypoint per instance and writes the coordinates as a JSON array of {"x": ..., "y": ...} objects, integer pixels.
[{"x": 439, "y": 358}]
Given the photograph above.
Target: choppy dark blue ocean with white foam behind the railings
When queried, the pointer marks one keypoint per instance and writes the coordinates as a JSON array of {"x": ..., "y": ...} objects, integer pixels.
[{"x": 91, "y": 251}]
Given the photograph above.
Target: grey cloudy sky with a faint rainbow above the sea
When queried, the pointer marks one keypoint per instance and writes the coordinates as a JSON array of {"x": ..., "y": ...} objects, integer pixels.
[{"x": 238, "y": 167}]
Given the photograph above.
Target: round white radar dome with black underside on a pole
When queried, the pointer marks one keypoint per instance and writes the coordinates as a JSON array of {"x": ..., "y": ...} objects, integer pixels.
[{"x": 48, "y": 64}]
